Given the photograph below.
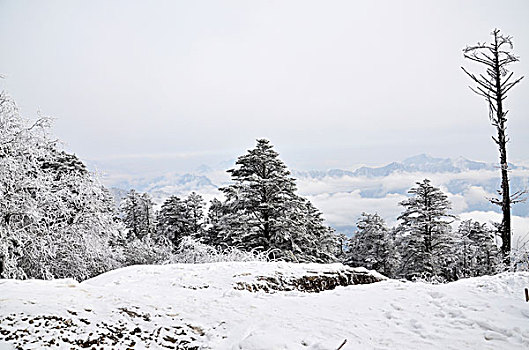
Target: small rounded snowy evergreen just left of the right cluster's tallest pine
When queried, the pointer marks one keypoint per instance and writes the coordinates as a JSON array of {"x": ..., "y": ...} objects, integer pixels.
[{"x": 372, "y": 246}]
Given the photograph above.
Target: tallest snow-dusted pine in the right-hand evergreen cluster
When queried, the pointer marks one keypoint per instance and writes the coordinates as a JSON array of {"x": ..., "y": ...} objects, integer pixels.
[{"x": 424, "y": 230}]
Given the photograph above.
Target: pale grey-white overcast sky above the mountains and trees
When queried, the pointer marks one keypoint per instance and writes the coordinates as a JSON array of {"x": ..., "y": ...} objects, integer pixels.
[{"x": 330, "y": 83}]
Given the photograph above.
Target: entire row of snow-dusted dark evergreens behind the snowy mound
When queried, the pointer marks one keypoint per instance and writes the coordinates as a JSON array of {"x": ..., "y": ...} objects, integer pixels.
[{"x": 261, "y": 211}]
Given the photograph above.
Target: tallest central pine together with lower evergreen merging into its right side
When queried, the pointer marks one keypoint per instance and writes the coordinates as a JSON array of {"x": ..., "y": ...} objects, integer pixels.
[{"x": 262, "y": 210}]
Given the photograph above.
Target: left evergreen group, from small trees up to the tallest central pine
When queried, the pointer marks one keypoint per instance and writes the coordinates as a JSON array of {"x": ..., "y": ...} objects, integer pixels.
[{"x": 261, "y": 211}]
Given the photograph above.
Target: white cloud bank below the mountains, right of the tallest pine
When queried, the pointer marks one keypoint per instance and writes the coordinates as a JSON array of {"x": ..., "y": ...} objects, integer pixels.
[{"x": 340, "y": 199}]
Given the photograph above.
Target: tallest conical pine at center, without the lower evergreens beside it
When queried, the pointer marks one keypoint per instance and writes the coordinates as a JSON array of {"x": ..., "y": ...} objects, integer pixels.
[{"x": 261, "y": 199}]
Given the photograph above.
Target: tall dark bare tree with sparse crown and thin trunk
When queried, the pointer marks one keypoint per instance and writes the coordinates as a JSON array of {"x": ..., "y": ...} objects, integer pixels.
[{"x": 493, "y": 86}]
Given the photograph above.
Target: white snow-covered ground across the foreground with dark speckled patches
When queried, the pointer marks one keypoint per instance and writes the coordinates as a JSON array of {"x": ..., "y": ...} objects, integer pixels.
[{"x": 199, "y": 306}]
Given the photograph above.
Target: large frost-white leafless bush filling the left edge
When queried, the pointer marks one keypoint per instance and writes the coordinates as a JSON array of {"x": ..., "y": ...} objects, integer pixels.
[{"x": 55, "y": 219}]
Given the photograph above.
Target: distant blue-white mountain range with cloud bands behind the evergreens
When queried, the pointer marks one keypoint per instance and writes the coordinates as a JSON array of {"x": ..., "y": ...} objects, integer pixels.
[{"x": 469, "y": 182}]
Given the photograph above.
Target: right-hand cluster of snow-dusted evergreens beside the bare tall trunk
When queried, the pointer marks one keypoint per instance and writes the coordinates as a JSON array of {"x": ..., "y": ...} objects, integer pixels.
[{"x": 423, "y": 244}]
